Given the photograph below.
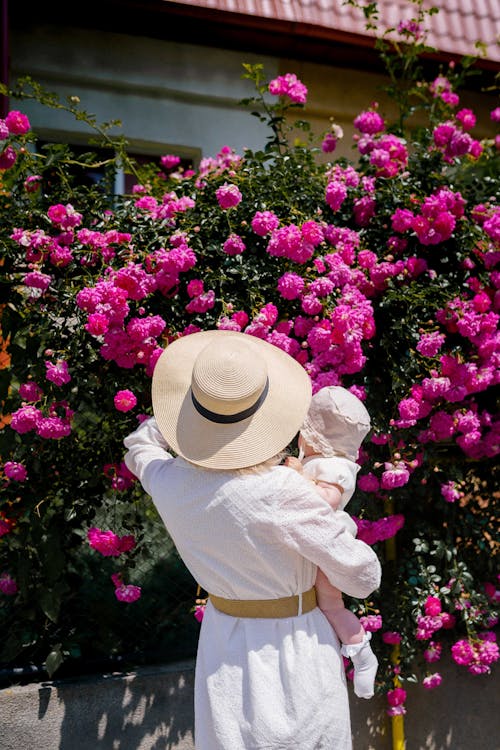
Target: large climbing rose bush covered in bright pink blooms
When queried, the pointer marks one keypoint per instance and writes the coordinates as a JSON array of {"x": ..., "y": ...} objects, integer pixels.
[{"x": 380, "y": 275}]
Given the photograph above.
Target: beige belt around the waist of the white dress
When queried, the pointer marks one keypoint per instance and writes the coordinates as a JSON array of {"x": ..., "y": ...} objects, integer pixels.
[{"x": 288, "y": 606}]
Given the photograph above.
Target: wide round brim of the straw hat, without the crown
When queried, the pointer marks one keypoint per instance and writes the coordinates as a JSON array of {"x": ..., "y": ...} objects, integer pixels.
[{"x": 228, "y": 446}]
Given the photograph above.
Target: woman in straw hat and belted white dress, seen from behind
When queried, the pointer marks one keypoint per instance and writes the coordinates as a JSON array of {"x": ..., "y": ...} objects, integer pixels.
[{"x": 269, "y": 675}]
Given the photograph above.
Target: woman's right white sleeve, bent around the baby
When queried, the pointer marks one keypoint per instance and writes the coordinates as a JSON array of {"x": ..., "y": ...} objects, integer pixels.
[{"x": 306, "y": 523}]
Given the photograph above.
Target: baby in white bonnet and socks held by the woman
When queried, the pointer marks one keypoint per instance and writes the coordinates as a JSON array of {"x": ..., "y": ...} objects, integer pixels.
[{"x": 329, "y": 441}]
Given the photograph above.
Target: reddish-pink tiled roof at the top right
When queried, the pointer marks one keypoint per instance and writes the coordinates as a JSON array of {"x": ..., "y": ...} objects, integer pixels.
[{"x": 454, "y": 30}]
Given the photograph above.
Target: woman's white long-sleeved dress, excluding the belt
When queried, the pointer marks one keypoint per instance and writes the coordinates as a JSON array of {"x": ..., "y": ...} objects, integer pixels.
[{"x": 260, "y": 684}]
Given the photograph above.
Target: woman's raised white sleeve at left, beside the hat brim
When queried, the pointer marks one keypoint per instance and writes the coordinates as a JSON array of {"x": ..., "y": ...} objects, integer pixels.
[{"x": 147, "y": 453}]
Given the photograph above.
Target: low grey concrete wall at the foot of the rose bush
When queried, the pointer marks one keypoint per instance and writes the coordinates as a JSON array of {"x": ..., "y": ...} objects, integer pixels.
[{"x": 152, "y": 709}]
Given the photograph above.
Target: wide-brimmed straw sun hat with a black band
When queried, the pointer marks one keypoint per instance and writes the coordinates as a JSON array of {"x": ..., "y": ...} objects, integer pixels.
[{"x": 227, "y": 400}]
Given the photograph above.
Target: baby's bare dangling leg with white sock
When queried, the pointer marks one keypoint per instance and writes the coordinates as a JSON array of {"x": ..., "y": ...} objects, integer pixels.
[{"x": 356, "y": 642}]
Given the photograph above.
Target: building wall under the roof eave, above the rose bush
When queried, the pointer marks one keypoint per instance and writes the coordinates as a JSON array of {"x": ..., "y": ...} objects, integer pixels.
[{"x": 181, "y": 98}]
